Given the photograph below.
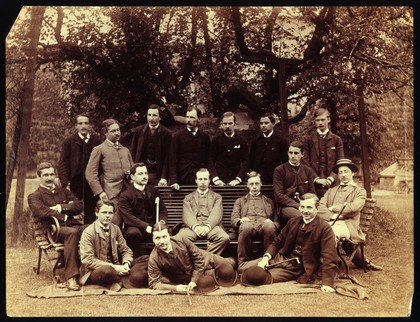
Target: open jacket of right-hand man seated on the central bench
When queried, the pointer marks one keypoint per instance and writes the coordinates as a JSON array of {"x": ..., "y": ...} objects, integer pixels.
[{"x": 240, "y": 210}]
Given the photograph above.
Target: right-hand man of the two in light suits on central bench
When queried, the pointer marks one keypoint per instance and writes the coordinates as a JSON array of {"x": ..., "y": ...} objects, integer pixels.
[{"x": 253, "y": 216}]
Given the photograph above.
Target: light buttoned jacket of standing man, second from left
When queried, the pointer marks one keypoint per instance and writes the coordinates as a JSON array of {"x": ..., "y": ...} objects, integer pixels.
[{"x": 115, "y": 164}]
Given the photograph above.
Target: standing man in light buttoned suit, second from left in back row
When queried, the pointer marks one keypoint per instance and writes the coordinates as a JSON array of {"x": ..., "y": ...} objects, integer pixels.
[{"x": 109, "y": 167}]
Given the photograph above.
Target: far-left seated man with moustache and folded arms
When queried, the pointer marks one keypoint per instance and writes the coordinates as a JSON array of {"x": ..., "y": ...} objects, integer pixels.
[{"x": 50, "y": 200}]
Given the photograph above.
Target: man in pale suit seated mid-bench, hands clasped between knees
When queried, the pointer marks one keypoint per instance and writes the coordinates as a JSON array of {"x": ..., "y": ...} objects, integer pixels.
[{"x": 202, "y": 215}]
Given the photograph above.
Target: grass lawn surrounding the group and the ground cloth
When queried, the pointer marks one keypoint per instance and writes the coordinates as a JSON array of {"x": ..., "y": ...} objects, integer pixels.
[{"x": 390, "y": 244}]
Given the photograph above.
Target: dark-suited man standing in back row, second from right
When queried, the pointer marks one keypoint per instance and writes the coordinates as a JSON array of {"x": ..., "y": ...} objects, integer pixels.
[{"x": 268, "y": 149}]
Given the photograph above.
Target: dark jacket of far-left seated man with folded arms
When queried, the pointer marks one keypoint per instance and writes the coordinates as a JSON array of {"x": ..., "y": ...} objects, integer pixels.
[{"x": 42, "y": 199}]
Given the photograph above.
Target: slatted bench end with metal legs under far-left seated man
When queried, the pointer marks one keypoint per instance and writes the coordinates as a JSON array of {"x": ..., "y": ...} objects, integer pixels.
[{"x": 44, "y": 236}]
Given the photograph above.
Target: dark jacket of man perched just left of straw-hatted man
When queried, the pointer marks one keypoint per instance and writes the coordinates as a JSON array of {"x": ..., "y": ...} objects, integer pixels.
[{"x": 287, "y": 181}]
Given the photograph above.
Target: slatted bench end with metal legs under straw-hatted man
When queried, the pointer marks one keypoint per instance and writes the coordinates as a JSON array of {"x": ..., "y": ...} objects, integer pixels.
[{"x": 366, "y": 215}]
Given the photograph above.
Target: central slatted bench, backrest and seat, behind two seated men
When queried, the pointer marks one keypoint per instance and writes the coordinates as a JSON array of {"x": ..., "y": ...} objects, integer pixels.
[{"x": 173, "y": 200}]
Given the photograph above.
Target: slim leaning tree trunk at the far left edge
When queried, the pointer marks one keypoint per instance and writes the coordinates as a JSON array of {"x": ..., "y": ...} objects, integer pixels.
[{"x": 34, "y": 32}]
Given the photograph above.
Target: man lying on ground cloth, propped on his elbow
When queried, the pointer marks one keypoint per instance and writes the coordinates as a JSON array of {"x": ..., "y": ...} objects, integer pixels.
[{"x": 178, "y": 265}]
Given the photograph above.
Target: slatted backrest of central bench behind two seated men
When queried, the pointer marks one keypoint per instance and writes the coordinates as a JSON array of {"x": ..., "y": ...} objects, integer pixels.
[{"x": 173, "y": 200}]
